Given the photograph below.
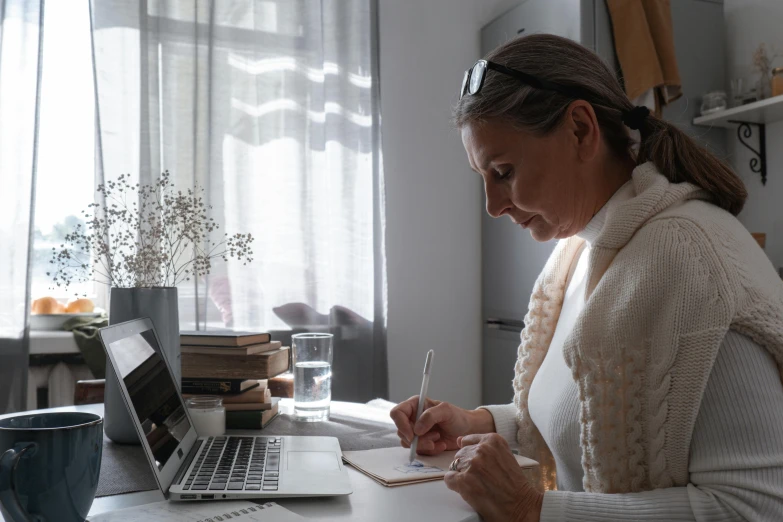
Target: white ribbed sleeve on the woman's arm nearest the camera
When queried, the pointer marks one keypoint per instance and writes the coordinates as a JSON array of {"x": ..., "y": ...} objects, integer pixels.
[{"x": 736, "y": 453}]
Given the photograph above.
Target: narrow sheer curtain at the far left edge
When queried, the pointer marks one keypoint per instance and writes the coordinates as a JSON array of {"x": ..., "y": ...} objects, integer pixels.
[{"x": 20, "y": 42}]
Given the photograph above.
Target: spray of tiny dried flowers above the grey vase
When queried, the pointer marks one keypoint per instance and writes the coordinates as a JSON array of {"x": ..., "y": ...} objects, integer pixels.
[{"x": 161, "y": 238}]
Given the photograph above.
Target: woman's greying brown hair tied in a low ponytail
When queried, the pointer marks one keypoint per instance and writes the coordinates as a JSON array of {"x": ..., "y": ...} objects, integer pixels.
[{"x": 567, "y": 63}]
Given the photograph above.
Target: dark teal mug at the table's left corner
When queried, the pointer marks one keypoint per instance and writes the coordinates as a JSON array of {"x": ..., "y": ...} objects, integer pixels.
[{"x": 49, "y": 466}]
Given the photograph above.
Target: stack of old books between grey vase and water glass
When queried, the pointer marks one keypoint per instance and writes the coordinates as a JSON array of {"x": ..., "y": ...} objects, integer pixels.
[{"x": 236, "y": 366}]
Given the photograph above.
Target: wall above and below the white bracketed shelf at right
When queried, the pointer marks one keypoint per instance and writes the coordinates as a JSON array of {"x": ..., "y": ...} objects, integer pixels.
[{"x": 748, "y": 23}]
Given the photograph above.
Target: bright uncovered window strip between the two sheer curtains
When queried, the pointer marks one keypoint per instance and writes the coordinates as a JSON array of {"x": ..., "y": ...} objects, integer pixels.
[{"x": 66, "y": 140}]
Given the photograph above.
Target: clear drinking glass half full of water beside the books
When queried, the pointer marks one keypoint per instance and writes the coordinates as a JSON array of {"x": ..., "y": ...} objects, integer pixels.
[{"x": 312, "y": 354}]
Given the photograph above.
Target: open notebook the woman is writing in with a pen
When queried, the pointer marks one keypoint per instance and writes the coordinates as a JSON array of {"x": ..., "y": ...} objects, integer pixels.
[{"x": 389, "y": 466}]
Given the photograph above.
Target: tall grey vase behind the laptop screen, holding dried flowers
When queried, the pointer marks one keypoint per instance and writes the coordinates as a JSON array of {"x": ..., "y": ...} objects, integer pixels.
[{"x": 160, "y": 305}]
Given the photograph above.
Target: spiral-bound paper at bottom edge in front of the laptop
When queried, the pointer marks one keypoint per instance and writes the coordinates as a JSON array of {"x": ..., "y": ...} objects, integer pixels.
[{"x": 240, "y": 510}]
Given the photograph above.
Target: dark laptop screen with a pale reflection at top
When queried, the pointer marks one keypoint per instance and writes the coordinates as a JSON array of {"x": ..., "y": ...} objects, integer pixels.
[{"x": 151, "y": 388}]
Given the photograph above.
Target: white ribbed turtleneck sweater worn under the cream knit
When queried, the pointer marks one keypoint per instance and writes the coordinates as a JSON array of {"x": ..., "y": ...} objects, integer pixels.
[{"x": 736, "y": 458}]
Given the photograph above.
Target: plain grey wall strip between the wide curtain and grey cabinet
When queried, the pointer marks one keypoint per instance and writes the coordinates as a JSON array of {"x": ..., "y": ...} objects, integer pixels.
[{"x": 433, "y": 200}]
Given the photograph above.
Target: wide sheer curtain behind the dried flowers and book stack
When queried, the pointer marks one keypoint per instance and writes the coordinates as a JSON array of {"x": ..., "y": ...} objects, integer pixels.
[{"x": 272, "y": 106}]
